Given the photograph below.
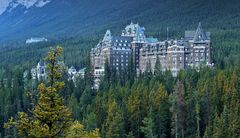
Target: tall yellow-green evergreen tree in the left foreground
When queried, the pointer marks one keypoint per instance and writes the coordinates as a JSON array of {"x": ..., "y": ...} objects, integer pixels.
[{"x": 49, "y": 117}]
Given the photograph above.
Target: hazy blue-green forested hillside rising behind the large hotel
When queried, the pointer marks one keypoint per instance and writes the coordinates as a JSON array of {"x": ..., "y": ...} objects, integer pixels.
[{"x": 221, "y": 18}]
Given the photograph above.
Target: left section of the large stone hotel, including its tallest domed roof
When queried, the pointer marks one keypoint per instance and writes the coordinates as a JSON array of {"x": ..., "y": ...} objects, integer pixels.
[{"x": 117, "y": 50}]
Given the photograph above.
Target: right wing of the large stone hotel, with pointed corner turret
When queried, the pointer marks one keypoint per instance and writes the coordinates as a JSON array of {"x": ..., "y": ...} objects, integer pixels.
[{"x": 192, "y": 51}]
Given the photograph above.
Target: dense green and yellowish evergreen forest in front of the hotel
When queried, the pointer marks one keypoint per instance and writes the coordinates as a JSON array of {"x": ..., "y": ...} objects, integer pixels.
[{"x": 201, "y": 103}]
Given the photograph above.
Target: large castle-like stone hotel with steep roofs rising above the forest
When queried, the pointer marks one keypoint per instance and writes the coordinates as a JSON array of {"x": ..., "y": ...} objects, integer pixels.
[{"x": 191, "y": 51}]
